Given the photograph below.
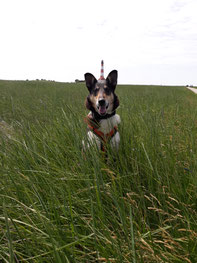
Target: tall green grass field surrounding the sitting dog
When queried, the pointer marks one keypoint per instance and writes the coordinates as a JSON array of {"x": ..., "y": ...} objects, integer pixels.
[{"x": 57, "y": 205}]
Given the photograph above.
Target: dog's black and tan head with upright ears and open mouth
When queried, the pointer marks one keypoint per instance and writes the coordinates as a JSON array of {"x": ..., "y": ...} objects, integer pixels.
[{"x": 102, "y": 98}]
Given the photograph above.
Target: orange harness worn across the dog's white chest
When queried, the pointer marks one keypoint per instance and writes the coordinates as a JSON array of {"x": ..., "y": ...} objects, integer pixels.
[{"x": 104, "y": 137}]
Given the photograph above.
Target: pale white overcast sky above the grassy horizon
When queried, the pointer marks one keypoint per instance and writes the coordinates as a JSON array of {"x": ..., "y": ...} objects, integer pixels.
[{"x": 147, "y": 41}]
